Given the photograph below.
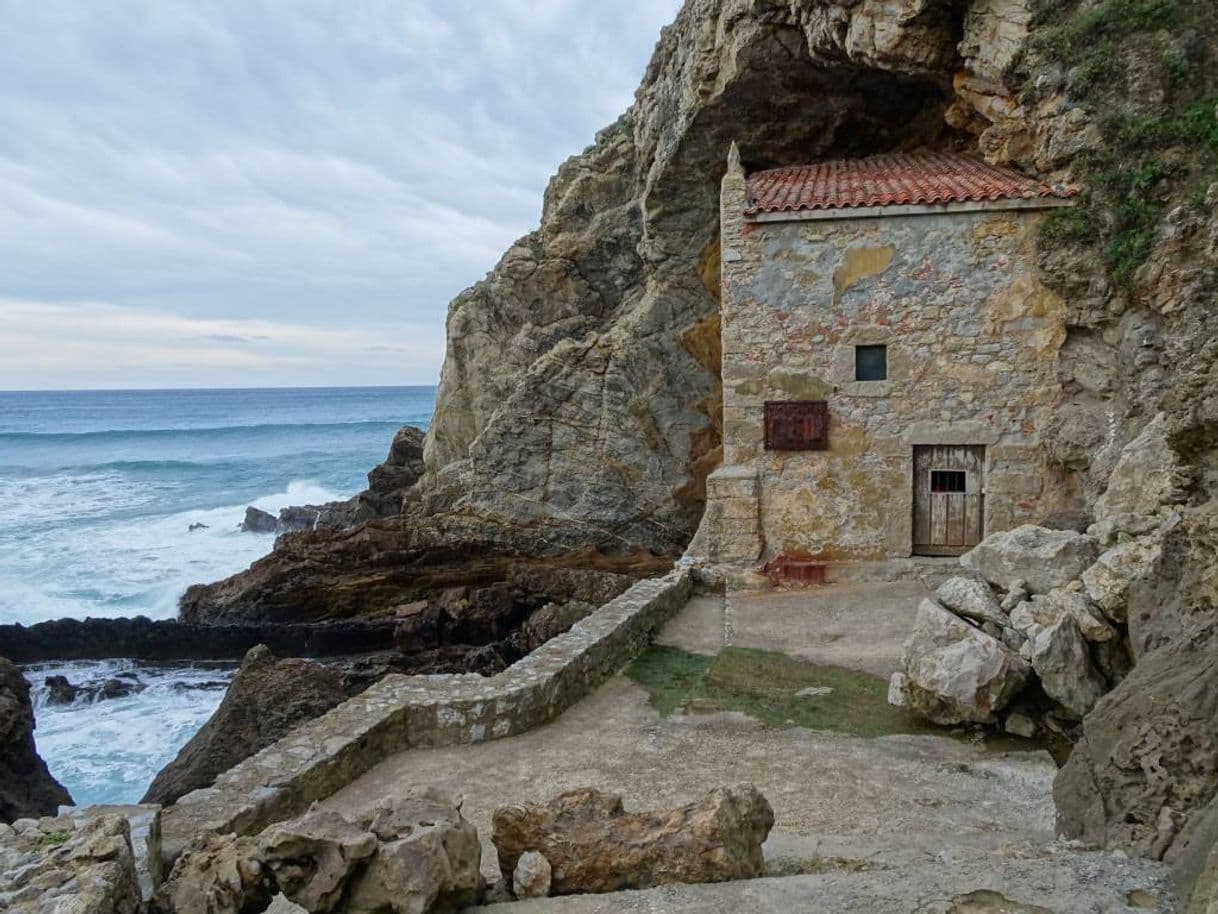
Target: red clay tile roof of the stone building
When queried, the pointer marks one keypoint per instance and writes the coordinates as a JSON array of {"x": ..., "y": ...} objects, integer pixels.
[{"x": 891, "y": 181}]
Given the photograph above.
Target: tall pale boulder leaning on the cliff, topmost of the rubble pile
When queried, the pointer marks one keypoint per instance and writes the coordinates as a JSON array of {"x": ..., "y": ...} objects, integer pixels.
[{"x": 1148, "y": 477}]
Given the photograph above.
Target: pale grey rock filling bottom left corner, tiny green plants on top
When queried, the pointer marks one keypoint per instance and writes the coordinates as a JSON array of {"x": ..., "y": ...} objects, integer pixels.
[{"x": 57, "y": 866}]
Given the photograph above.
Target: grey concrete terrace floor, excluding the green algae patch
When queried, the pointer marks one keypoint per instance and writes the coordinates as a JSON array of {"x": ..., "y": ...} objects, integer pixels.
[{"x": 912, "y": 823}]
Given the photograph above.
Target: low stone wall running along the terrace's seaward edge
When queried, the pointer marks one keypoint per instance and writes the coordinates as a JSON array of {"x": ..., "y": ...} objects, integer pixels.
[{"x": 410, "y": 712}]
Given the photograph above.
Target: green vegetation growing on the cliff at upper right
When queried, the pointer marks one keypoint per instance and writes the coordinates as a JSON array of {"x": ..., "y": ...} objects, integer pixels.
[{"x": 1146, "y": 70}]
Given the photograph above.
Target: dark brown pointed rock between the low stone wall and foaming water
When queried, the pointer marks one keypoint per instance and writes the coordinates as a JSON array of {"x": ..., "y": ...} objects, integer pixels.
[{"x": 265, "y": 703}]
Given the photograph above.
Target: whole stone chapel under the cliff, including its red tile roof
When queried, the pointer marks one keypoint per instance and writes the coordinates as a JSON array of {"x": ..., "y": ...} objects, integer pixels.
[{"x": 890, "y": 358}]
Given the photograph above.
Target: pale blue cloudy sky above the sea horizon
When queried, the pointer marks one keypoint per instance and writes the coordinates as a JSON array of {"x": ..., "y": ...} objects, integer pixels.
[{"x": 248, "y": 193}]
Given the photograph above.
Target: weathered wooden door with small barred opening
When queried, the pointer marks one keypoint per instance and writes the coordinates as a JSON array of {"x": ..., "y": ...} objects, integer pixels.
[{"x": 949, "y": 501}]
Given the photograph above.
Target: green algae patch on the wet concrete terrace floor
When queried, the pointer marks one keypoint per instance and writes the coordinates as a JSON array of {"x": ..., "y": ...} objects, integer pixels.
[{"x": 776, "y": 689}]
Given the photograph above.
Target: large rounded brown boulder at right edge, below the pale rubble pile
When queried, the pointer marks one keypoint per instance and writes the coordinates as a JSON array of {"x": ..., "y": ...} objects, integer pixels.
[{"x": 1148, "y": 761}]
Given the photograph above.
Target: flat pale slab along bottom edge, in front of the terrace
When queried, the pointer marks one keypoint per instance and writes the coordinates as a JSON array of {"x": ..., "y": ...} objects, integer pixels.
[{"x": 1019, "y": 882}]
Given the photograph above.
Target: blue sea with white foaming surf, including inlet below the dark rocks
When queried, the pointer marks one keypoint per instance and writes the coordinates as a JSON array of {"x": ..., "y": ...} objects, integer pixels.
[{"x": 113, "y": 503}]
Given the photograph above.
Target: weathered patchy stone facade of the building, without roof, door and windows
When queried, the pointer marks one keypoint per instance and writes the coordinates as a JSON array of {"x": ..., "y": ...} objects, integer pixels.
[{"x": 973, "y": 342}]
